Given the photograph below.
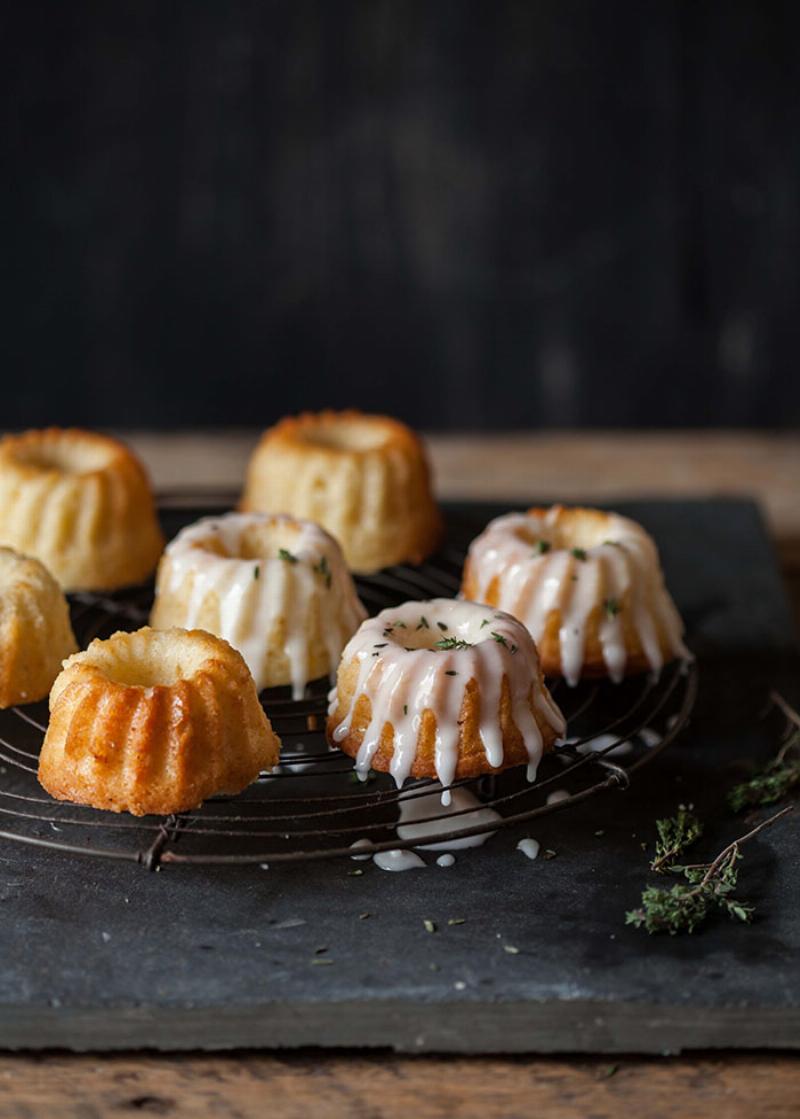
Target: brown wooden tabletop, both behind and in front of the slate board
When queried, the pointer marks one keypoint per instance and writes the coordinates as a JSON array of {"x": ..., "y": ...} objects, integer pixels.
[{"x": 566, "y": 466}]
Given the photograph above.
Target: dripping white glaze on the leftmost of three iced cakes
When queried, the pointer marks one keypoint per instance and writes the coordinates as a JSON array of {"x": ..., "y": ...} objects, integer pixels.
[{"x": 251, "y": 605}]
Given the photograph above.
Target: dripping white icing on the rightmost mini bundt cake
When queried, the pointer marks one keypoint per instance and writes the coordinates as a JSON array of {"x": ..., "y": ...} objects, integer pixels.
[{"x": 622, "y": 567}]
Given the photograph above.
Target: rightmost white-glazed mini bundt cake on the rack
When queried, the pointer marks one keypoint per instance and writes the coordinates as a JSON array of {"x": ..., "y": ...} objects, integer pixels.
[{"x": 587, "y": 585}]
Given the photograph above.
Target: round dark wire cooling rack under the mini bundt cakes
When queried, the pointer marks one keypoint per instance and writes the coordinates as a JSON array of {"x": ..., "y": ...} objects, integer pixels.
[{"x": 314, "y": 806}]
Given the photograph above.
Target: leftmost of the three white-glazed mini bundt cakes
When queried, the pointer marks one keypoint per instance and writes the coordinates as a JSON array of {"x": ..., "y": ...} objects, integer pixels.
[{"x": 276, "y": 588}]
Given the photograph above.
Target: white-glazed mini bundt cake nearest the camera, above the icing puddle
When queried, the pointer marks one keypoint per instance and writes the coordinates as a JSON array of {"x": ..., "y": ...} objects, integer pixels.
[{"x": 443, "y": 689}]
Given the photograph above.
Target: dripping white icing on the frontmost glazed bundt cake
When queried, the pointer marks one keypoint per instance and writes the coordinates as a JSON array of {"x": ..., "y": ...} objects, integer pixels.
[{"x": 404, "y": 674}]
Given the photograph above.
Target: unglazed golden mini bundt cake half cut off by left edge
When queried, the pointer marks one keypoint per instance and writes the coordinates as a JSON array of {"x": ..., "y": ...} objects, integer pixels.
[{"x": 35, "y": 632}]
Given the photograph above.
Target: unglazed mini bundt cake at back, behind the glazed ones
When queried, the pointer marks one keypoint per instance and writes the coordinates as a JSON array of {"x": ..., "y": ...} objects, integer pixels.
[{"x": 364, "y": 478}]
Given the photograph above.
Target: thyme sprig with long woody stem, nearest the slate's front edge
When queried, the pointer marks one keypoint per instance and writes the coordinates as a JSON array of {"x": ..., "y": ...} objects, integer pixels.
[{"x": 710, "y": 889}]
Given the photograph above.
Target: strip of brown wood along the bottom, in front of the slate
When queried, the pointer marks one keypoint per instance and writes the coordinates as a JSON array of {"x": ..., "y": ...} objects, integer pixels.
[{"x": 396, "y": 1088}]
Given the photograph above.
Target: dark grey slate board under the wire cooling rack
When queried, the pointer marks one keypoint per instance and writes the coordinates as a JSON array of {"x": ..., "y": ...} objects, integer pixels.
[{"x": 103, "y": 956}]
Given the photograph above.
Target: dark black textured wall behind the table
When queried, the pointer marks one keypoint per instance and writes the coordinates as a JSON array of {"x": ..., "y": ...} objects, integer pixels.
[{"x": 477, "y": 215}]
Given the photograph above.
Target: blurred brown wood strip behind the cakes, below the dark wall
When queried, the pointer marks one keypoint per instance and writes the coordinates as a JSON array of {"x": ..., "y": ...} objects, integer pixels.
[{"x": 568, "y": 466}]
